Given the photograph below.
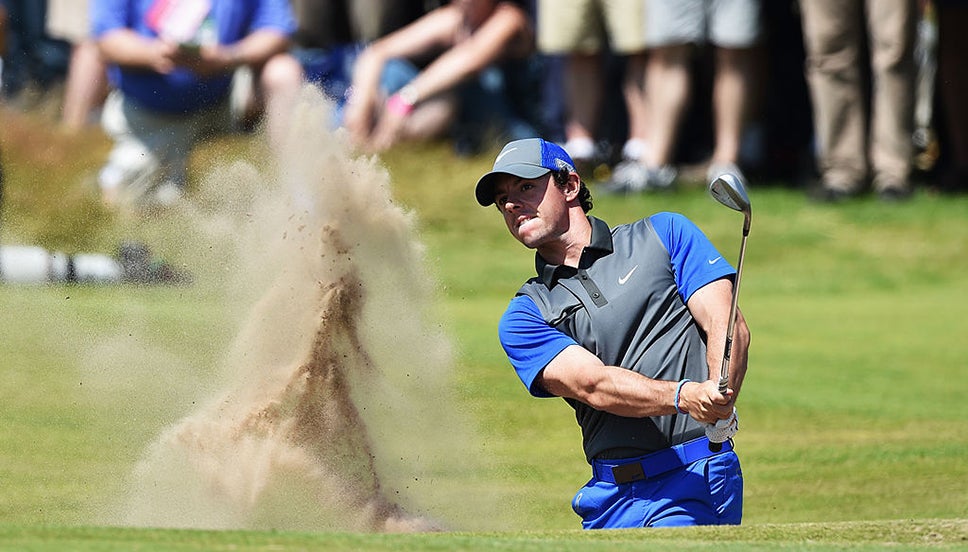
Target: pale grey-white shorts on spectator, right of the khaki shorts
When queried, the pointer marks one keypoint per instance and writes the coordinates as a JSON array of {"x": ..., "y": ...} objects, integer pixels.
[{"x": 723, "y": 23}]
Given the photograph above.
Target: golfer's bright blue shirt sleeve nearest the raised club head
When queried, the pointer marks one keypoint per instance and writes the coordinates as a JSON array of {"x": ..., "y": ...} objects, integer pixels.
[{"x": 695, "y": 260}]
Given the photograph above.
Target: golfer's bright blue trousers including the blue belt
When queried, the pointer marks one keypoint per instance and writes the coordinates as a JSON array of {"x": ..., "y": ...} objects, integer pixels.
[{"x": 663, "y": 493}]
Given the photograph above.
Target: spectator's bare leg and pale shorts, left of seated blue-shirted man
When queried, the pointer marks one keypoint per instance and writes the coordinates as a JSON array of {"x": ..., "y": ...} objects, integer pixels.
[{"x": 86, "y": 86}]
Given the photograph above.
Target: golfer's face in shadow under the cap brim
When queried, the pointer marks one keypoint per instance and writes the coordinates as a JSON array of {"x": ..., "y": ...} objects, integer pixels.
[{"x": 534, "y": 209}]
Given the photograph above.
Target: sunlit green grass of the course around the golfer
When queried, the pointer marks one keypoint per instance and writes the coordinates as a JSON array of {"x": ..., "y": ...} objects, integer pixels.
[{"x": 854, "y": 430}]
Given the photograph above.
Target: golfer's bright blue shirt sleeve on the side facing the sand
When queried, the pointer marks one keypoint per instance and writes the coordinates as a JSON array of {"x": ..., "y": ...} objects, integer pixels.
[{"x": 529, "y": 341}]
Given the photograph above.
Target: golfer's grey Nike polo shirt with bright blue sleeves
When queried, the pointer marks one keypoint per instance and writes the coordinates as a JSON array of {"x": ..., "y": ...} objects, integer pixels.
[{"x": 626, "y": 303}]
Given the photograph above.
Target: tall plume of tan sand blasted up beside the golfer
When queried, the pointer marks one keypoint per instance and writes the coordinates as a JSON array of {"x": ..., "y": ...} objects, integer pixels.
[{"x": 335, "y": 406}]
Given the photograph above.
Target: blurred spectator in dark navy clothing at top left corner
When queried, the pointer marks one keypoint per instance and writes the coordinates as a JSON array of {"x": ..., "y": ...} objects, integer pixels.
[{"x": 34, "y": 61}]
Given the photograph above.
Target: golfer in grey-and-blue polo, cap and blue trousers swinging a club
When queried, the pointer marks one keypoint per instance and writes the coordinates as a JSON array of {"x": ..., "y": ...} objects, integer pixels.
[{"x": 628, "y": 325}]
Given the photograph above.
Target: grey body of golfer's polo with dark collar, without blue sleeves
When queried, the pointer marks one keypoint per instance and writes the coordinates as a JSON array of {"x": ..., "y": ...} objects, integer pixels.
[{"x": 623, "y": 305}]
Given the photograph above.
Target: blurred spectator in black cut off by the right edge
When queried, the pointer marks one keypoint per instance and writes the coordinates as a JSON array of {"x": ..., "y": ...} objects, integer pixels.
[{"x": 952, "y": 83}]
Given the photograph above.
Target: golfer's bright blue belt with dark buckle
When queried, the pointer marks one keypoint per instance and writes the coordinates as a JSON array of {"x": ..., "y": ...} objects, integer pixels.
[{"x": 655, "y": 464}]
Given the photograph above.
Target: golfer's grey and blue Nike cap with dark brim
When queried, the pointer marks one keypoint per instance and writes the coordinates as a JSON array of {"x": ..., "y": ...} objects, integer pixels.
[{"x": 528, "y": 158}]
